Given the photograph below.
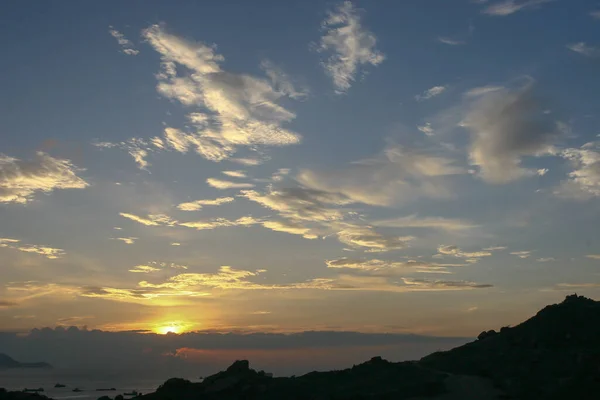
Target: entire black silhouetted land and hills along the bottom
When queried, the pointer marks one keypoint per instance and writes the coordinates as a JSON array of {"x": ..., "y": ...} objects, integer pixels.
[{"x": 554, "y": 355}]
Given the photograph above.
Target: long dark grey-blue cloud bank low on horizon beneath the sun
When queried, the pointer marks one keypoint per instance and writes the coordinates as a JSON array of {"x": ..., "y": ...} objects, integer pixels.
[{"x": 195, "y": 354}]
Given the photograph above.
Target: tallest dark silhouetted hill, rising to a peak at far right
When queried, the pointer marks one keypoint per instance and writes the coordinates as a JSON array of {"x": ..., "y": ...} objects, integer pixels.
[{"x": 553, "y": 355}]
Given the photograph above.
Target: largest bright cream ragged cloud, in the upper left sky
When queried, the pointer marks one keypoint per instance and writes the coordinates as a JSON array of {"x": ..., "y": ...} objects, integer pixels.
[{"x": 230, "y": 110}]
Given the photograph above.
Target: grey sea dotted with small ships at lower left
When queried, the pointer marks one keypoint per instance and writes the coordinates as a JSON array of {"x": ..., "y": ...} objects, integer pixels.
[{"x": 19, "y": 379}]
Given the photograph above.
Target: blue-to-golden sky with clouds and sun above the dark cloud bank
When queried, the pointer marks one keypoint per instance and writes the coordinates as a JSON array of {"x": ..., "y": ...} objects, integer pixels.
[{"x": 378, "y": 167}]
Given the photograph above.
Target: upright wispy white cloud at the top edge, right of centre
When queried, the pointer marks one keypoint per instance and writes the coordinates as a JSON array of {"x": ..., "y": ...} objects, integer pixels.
[{"x": 351, "y": 45}]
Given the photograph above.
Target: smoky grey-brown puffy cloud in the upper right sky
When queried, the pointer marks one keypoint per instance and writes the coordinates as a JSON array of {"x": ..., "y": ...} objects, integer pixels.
[{"x": 505, "y": 126}]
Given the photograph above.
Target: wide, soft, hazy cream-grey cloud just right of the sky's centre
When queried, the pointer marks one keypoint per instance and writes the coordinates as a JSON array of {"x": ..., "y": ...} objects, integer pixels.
[{"x": 398, "y": 175}]
